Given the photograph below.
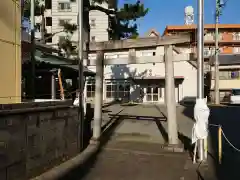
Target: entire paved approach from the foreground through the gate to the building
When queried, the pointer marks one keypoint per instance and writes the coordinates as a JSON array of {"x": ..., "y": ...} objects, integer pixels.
[{"x": 133, "y": 150}]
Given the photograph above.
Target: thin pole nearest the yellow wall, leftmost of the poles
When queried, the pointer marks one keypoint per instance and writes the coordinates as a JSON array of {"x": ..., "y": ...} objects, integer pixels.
[{"x": 33, "y": 63}]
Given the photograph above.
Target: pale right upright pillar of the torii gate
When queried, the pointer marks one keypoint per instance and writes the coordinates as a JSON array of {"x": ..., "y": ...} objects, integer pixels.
[{"x": 170, "y": 96}]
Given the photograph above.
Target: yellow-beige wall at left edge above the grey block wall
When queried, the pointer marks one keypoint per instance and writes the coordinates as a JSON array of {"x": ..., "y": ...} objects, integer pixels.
[{"x": 10, "y": 50}]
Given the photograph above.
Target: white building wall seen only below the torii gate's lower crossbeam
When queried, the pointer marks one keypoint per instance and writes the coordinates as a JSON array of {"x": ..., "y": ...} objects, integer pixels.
[{"x": 188, "y": 87}]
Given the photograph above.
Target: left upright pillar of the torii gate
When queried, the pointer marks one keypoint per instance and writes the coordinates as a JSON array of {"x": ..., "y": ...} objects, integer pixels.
[{"x": 97, "y": 124}]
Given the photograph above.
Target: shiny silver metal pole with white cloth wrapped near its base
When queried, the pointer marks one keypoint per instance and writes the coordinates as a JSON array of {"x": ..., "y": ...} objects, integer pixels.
[{"x": 200, "y": 62}]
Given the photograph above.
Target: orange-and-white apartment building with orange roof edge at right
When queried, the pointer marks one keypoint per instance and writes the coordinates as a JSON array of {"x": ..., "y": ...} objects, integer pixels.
[{"x": 229, "y": 37}]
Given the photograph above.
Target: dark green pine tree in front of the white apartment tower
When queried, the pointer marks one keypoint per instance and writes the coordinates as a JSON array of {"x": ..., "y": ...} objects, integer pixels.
[{"x": 122, "y": 21}]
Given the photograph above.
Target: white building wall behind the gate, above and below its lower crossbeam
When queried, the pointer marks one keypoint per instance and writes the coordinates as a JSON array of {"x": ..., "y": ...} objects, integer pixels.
[{"x": 150, "y": 74}]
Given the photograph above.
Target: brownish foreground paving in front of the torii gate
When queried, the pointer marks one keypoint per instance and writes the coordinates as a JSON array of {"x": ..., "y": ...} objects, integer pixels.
[{"x": 136, "y": 161}]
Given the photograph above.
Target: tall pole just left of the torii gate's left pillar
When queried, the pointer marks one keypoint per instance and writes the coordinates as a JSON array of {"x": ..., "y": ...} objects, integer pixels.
[{"x": 80, "y": 75}]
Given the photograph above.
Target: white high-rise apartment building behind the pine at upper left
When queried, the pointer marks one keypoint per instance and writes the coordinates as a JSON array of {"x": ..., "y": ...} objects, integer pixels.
[{"x": 59, "y": 11}]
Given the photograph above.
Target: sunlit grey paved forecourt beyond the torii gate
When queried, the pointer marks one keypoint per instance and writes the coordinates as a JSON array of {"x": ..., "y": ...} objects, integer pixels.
[{"x": 148, "y": 122}]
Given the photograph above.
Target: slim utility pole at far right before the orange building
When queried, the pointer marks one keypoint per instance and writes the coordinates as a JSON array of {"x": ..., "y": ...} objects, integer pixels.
[{"x": 219, "y": 5}]
